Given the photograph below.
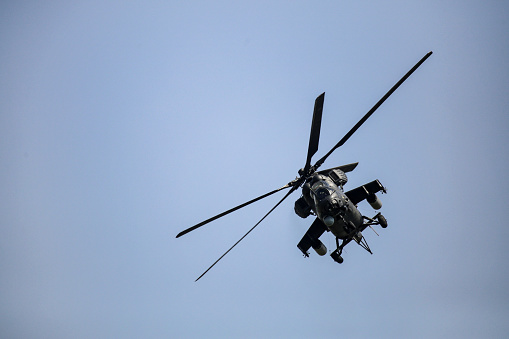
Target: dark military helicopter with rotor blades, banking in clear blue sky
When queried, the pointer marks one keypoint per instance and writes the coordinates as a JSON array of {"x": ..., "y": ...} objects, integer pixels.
[{"x": 323, "y": 196}]
